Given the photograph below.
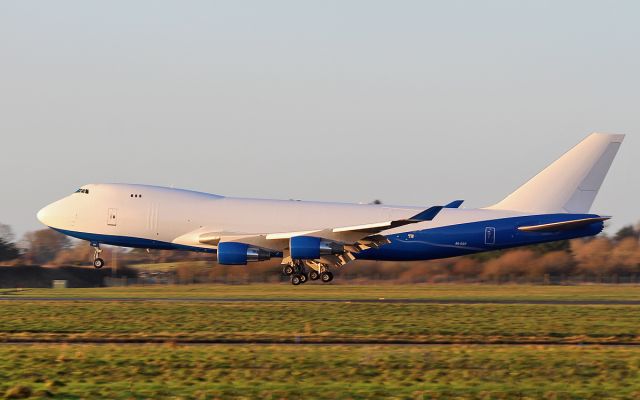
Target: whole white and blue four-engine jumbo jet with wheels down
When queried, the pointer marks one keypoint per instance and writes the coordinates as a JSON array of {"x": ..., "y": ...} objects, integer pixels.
[{"x": 312, "y": 238}]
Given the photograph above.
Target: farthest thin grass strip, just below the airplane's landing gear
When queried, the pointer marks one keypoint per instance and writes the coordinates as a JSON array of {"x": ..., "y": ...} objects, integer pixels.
[{"x": 313, "y": 290}]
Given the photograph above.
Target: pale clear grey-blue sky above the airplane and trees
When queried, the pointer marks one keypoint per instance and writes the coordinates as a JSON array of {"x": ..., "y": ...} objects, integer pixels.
[{"x": 409, "y": 102}]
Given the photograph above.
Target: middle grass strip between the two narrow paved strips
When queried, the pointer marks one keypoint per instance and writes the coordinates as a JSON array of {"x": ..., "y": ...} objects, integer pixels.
[{"x": 319, "y": 322}]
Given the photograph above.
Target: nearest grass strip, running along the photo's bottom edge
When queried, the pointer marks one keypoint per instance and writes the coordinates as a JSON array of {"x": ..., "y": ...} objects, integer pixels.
[{"x": 322, "y": 372}]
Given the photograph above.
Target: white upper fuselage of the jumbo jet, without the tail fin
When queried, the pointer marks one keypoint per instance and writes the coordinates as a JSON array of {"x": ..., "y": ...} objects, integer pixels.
[{"x": 181, "y": 216}]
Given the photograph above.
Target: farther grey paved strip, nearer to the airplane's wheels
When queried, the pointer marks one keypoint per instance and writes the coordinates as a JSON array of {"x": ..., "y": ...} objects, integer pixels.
[{"x": 316, "y": 300}]
